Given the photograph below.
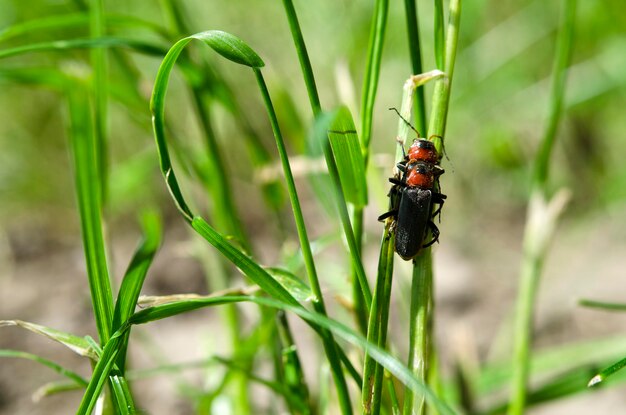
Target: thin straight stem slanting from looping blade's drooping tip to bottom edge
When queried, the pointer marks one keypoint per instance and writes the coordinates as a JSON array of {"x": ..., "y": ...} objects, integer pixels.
[{"x": 318, "y": 302}]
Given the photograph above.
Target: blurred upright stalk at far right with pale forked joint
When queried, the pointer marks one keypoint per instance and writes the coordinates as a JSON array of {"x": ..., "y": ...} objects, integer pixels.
[{"x": 541, "y": 216}]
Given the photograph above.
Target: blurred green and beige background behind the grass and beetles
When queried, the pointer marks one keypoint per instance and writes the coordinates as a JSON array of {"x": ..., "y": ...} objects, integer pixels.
[{"x": 496, "y": 118}]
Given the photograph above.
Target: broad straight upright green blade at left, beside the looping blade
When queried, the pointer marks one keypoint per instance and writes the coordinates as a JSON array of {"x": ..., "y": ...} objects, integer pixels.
[{"x": 88, "y": 191}]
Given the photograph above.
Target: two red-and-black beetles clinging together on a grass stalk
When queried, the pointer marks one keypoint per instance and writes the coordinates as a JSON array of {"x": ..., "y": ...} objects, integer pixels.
[{"x": 412, "y": 197}]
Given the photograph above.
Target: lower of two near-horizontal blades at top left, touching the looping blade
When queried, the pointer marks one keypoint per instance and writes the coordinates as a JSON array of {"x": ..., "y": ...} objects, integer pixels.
[{"x": 140, "y": 46}]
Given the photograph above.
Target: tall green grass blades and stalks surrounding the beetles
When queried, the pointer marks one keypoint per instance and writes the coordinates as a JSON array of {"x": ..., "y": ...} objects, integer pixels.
[{"x": 221, "y": 75}]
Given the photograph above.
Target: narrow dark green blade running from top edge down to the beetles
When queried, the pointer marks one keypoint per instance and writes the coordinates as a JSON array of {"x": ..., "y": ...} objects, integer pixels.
[{"x": 410, "y": 10}]
